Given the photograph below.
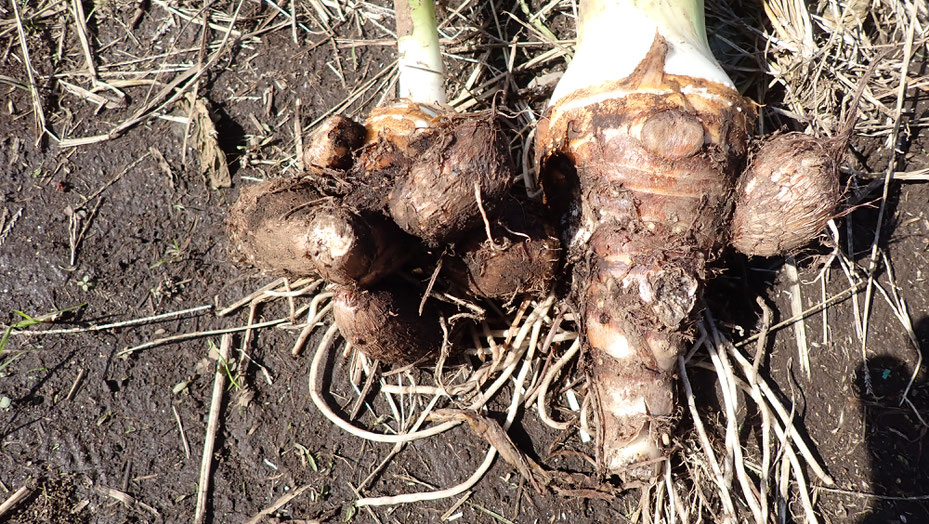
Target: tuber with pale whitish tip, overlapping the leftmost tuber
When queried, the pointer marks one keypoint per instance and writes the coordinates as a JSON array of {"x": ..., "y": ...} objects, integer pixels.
[{"x": 347, "y": 248}]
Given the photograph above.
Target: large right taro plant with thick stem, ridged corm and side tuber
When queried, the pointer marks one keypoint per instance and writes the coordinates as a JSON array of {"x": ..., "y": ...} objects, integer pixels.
[{"x": 640, "y": 156}]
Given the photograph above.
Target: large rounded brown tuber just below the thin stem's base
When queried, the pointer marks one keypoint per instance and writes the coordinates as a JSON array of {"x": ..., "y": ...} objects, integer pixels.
[{"x": 463, "y": 171}]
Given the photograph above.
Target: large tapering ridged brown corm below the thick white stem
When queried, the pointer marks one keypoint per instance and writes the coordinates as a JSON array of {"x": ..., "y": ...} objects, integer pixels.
[{"x": 648, "y": 169}]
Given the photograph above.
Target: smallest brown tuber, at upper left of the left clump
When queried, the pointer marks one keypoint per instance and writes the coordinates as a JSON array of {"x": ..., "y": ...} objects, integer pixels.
[{"x": 332, "y": 144}]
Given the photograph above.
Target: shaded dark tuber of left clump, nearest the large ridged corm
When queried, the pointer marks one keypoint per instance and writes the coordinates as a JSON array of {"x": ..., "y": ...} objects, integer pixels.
[{"x": 523, "y": 258}]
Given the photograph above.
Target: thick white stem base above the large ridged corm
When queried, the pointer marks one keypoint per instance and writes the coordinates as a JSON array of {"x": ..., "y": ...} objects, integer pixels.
[{"x": 615, "y": 35}]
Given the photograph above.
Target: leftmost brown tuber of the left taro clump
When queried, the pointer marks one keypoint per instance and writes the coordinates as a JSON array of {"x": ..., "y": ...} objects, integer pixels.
[{"x": 269, "y": 226}]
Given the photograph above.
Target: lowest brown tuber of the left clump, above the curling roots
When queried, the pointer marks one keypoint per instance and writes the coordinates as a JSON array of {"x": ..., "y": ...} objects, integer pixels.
[{"x": 384, "y": 323}]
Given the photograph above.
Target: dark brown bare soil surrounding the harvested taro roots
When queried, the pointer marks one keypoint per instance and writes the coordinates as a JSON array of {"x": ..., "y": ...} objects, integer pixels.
[{"x": 101, "y": 438}]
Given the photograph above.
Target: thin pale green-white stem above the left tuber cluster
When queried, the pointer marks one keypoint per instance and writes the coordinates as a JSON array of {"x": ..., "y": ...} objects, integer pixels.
[{"x": 422, "y": 74}]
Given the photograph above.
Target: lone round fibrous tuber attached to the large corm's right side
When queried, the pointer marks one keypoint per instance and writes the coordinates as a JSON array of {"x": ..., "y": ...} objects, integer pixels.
[{"x": 786, "y": 196}]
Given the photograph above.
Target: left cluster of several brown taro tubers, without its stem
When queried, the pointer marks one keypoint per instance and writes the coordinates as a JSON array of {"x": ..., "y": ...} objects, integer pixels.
[{"x": 423, "y": 180}]
